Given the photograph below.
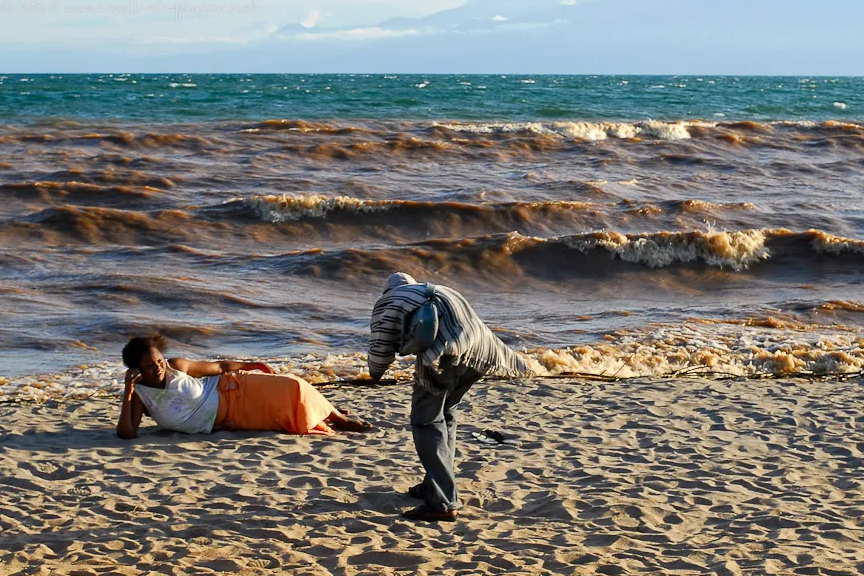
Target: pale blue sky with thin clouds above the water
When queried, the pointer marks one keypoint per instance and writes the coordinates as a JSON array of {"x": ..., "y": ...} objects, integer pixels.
[{"x": 783, "y": 37}]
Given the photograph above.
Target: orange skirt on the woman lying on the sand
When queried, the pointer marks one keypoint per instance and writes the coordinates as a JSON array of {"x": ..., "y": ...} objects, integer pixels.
[{"x": 258, "y": 401}]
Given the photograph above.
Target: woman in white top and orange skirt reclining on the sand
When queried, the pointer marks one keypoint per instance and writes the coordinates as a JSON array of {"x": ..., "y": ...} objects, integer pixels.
[{"x": 192, "y": 397}]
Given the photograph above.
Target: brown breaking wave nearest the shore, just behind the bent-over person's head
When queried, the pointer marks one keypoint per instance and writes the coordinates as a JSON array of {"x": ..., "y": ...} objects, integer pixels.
[{"x": 583, "y": 255}]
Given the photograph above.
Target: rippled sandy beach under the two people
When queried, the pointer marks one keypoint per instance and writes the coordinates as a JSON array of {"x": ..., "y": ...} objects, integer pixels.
[{"x": 631, "y": 477}]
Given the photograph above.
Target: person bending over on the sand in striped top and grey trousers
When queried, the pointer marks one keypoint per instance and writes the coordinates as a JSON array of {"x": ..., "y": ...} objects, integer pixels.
[{"x": 463, "y": 351}]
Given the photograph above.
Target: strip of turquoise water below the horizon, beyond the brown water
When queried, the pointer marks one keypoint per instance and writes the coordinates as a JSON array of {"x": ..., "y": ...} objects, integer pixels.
[{"x": 202, "y": 97}]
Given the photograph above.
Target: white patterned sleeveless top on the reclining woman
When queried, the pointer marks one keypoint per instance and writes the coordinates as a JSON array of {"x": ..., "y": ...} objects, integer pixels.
[{"x": 186, "y": 404}]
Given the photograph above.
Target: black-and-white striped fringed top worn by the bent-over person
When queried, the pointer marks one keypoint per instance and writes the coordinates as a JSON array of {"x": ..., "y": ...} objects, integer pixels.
[{"x": 462, "y": 336}]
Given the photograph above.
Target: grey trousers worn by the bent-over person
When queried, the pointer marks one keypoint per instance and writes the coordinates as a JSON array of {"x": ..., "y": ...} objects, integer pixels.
[{"x": 433, "y": 423}]
